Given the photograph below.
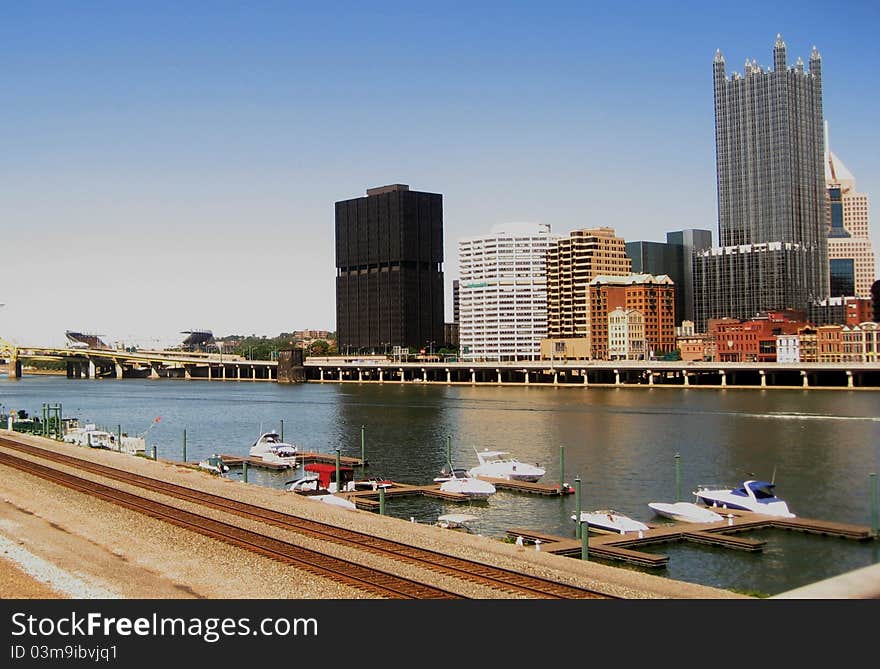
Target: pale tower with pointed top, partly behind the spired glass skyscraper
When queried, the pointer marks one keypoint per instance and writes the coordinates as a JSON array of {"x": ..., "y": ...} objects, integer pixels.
[{"x": 850, "y": 254}]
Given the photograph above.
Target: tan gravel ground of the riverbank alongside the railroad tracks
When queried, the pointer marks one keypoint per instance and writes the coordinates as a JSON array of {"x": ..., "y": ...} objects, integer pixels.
[{"x": 119, "y": 553}]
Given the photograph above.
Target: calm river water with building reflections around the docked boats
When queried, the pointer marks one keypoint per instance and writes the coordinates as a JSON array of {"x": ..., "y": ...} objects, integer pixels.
[{"x": 819, "y": 446}]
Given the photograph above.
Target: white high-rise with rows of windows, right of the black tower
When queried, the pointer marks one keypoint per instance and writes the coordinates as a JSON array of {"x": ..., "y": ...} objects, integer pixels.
[{"x": 503, "y": 292}]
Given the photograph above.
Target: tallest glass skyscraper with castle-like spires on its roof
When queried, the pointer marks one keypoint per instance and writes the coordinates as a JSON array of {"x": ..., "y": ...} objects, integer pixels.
[{"x": 771, "y": 192}]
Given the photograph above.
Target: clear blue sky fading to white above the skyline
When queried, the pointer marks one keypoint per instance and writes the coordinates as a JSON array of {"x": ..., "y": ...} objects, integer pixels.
[{"x": 169, "y": 166}]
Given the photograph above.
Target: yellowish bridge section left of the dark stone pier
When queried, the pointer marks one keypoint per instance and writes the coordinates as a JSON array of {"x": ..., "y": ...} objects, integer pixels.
[{"x": 95, "y": 363}]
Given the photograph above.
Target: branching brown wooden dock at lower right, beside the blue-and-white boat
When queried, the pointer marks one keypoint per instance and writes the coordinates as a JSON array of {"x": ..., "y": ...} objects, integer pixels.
[{"x": 622, "y": 547}]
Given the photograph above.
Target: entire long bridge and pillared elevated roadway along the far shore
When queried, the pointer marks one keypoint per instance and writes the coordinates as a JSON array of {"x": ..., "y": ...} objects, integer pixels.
[{"x": 120, "y": 364}]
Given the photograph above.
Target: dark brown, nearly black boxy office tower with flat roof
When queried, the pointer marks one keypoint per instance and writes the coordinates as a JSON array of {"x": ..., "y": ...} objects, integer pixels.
[{"x": 389, "y": 276}]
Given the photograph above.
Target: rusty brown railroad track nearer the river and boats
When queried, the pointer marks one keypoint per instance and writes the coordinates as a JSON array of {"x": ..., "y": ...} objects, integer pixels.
[{"x": 469, "y": 570}]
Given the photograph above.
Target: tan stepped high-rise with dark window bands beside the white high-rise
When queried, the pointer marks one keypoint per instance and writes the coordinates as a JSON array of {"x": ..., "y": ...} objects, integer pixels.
[{"x": 572, "y": 262}]
